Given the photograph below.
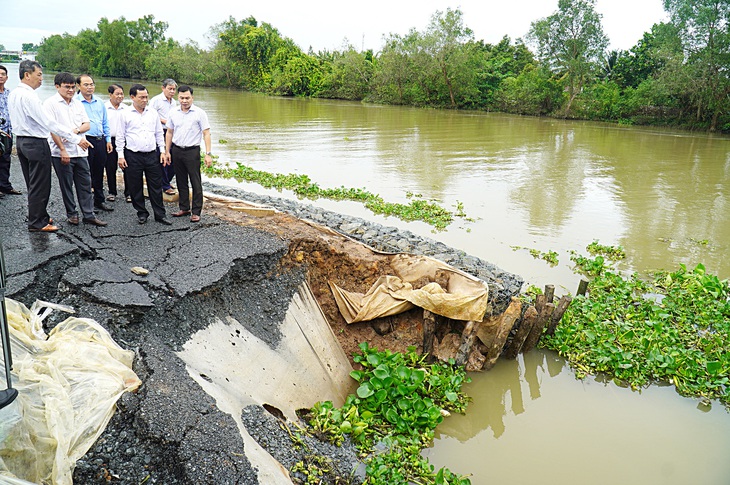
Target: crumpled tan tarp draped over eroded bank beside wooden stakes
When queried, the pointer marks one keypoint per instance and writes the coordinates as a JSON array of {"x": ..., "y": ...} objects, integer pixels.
[{"x": 462, "y": 296}]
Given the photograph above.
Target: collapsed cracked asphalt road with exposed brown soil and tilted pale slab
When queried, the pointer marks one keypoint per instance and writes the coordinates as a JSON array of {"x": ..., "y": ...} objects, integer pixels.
[{"x": 228, "y": 315}]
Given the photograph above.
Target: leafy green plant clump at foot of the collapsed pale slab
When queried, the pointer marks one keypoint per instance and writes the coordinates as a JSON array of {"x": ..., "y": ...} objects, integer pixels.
[{"x": 393, "y": 414}]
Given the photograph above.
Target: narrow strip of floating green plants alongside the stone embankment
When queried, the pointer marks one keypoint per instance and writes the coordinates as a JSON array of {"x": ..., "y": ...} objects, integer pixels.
[{"x": 417, "y": 209}]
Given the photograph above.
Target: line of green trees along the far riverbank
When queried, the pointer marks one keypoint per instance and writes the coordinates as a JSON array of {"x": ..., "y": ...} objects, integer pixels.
[{"x": 676, "y": 74}]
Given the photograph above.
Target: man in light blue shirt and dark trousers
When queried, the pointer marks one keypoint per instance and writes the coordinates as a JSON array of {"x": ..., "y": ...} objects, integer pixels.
[{"x": 98, "y": 135}]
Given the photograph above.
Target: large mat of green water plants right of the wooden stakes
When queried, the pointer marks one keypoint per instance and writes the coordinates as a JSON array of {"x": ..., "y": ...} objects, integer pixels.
[{"x": 672, "y": 327}]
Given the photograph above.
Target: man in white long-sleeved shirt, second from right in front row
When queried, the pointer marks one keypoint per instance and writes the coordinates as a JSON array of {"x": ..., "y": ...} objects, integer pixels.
[{"x": 138, "y": 139}]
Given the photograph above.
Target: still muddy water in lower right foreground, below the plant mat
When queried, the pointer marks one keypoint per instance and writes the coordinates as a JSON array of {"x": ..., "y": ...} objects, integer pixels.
[{"x": 532, "y": 422}]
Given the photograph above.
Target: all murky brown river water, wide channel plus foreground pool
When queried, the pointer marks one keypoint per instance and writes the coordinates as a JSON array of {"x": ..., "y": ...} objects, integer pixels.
[{"x": 531, "y": 183}]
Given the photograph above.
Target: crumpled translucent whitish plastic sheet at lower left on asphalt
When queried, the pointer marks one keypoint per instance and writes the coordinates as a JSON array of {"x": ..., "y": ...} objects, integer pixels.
[{"x": 68, "y": 384}]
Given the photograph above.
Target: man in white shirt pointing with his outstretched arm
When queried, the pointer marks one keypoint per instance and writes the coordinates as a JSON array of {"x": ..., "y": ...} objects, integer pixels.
[{"x": 31, "y": 125}]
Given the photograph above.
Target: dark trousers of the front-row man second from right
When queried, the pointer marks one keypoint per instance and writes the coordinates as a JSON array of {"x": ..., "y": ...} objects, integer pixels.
[{"x": 145, "y": 164}]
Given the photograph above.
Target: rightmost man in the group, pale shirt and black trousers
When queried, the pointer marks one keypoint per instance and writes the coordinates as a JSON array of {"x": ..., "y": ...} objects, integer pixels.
[{"x": 186, "y": 126}]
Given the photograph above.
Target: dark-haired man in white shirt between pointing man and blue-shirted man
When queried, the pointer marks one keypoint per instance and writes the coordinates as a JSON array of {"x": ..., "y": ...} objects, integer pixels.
[{"x": 69, "y": 160}]
